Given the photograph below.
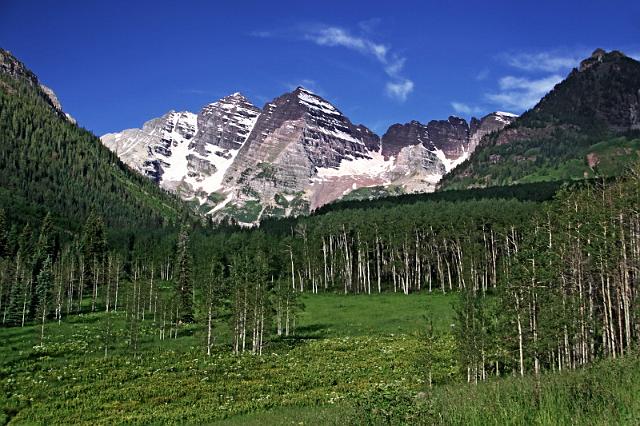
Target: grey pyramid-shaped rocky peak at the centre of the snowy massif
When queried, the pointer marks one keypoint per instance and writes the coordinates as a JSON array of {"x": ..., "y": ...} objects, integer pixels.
[{"x": 296, "y": 135}]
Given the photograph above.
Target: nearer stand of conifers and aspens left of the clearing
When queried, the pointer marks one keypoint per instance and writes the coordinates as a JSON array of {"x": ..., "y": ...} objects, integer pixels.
[{"x": 43, "y": 280}]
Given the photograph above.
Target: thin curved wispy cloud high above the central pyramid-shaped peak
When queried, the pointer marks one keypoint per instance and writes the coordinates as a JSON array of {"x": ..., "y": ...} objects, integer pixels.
[{"x": 399, "y": 87}]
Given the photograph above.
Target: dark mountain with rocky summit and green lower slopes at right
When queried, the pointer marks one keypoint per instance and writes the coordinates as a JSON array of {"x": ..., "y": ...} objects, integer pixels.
[{"x": 587, "y": 126}]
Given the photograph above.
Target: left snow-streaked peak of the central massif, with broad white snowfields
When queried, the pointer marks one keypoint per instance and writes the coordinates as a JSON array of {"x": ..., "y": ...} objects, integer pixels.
[{"x": 185, "y": 152}]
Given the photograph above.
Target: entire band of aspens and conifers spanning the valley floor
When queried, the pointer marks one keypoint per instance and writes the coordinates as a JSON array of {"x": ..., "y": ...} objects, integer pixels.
[{"x": 542, "y": 285}]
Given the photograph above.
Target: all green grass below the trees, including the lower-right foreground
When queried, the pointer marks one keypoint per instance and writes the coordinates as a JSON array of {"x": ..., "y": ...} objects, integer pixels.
[{"x": 356, "y": 360}]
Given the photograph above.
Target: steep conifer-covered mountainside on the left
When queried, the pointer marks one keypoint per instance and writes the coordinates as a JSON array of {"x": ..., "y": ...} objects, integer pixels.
[{"x": 47, "y": 163}]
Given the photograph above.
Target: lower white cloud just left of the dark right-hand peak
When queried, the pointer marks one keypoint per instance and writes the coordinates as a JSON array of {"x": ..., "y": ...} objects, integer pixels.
[{"x": 521, "y": 93}]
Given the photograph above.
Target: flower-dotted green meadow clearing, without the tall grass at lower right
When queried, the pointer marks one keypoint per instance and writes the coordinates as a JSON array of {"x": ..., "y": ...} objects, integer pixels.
[{"x": 346, "y": 347}]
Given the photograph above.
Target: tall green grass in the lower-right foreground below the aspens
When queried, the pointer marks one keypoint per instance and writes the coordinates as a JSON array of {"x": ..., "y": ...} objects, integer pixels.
[{"x": 605, "y": 393}]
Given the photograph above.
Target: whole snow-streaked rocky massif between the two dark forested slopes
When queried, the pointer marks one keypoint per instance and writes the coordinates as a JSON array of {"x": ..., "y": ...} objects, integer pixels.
[{"x": 294, "y": 155}]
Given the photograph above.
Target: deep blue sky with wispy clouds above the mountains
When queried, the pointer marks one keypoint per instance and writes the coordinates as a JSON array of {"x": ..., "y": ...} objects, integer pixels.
[{"x": 115, "y": 64}]
